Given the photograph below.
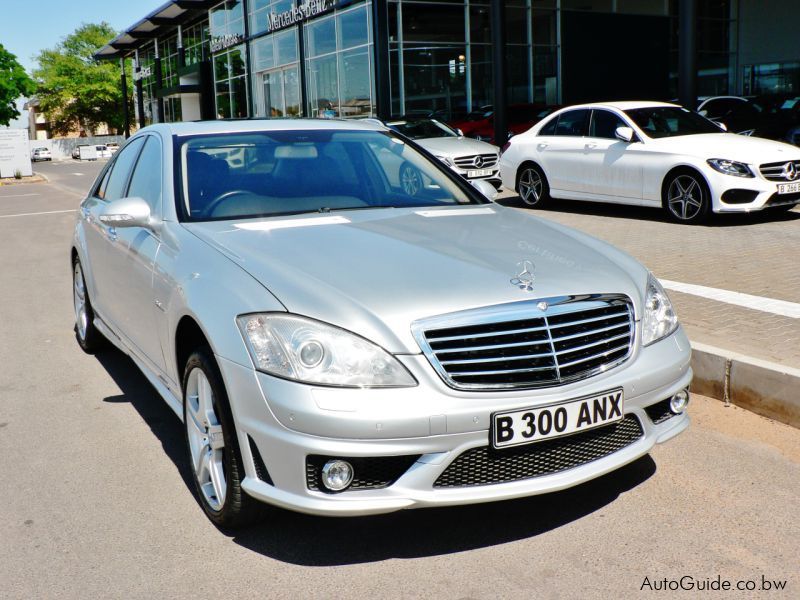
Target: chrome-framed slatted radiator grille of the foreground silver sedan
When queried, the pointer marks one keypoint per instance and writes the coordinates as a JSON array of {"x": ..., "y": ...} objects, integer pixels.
[{"x": 522, "y": 346}]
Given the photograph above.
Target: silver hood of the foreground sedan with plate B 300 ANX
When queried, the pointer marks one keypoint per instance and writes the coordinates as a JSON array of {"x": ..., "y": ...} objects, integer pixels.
[{"x": 374, "y": 272}]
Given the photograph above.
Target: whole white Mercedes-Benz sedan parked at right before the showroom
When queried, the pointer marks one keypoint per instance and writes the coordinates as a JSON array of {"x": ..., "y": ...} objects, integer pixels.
[{"x": 650, "y": 154}]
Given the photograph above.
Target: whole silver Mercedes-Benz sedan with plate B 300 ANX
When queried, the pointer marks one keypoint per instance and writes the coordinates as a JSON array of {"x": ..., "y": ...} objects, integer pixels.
[{"x": 337, "y": 346}]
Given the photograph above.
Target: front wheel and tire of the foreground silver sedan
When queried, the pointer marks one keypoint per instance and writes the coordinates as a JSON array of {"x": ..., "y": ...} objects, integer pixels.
[{"x": 215, "y": 460}]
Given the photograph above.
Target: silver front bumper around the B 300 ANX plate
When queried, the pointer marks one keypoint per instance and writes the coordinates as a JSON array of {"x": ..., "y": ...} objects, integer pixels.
[{"x": 286, "y": 422}]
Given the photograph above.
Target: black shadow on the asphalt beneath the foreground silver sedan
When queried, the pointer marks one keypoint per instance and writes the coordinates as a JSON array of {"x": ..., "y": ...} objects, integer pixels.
[{"x": 327, "y": 541}]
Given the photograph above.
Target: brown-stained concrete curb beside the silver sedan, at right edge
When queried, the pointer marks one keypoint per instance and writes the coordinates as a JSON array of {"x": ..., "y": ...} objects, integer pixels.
[{"x": 763, "y": 387}]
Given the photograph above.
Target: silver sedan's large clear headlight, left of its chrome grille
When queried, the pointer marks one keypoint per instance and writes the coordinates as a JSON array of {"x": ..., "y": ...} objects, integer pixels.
[{"x": 312, "y": 352}]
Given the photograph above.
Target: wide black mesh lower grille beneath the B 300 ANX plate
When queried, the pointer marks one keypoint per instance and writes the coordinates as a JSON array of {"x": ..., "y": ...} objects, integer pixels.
[{"x": 485, "y": 466}]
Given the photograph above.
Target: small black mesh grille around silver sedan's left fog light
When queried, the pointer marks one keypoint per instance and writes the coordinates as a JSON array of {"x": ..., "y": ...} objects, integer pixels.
[{"x": 369, "y": 473}]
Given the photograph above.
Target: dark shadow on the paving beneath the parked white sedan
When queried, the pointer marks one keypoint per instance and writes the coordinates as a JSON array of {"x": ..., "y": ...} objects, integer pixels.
[{"x": 639, "y": 213}]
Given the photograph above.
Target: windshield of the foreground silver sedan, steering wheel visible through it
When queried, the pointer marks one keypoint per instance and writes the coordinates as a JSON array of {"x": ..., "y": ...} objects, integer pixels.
[{"x": 262, "y": 174}]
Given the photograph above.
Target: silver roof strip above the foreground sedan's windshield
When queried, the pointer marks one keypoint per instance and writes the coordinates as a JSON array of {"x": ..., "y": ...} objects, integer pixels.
[{"x": 256, "y": 125}]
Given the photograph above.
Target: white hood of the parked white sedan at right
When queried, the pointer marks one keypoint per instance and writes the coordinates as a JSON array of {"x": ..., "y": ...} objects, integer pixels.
[{"x": 742, "y": 148}]
